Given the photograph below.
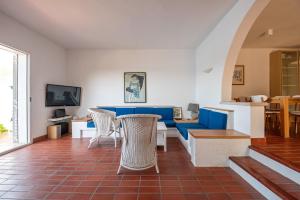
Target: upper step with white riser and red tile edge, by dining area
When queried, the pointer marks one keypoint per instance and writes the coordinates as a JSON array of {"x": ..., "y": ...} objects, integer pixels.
[{"x": 276, "y": 163}]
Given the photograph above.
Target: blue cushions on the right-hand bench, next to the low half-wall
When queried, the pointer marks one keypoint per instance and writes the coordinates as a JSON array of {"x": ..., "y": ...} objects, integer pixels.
[{"x": 208, "y": 119}]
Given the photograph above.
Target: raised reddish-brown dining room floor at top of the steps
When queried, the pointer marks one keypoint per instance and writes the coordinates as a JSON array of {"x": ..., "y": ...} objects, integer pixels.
[{"x": 285, "y": 151}]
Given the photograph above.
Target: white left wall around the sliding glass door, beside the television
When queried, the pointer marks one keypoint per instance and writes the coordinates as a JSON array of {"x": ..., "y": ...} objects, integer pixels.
[{"x": 47, "y": 65}]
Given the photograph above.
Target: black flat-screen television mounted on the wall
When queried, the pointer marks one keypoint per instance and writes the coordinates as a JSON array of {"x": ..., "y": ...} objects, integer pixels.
[{"x": 61, "y": 95}]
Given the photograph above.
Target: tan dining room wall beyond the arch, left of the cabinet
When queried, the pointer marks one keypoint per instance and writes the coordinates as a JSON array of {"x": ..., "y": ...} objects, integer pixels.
[{"x": 257, "y": 65}]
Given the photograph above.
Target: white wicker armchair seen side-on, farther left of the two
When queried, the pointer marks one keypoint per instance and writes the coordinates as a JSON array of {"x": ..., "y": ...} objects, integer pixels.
[{"x": 105, "y": 123}]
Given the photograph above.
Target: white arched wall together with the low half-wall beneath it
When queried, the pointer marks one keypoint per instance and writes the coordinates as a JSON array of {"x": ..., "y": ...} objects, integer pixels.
[{"x": 215, "y": 60}]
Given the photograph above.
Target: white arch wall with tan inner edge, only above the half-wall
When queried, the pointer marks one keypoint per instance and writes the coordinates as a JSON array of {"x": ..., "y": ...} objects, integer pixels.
[{"x": 217, "y": 54}]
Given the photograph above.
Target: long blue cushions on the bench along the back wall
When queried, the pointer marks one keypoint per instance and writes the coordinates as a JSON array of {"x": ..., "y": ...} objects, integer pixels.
[{"x": 165, "y": 112}]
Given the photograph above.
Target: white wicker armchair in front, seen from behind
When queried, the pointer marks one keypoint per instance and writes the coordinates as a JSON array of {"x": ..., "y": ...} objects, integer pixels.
[{"x": 138, "y": 150}]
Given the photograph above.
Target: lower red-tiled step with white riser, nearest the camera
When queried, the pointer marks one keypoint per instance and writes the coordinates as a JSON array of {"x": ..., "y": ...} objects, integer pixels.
[{"x": 268, "y": 182}]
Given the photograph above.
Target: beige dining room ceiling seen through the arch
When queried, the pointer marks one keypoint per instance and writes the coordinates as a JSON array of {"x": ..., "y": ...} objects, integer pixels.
[{"x": 283, "y": 16}]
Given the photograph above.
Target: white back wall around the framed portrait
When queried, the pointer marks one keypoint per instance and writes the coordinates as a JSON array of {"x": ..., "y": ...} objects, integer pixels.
[{"x": 170, "y": 75}]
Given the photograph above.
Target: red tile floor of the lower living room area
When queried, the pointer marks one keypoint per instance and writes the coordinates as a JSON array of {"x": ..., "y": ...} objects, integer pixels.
[{"x": 66, "y": 169}]
